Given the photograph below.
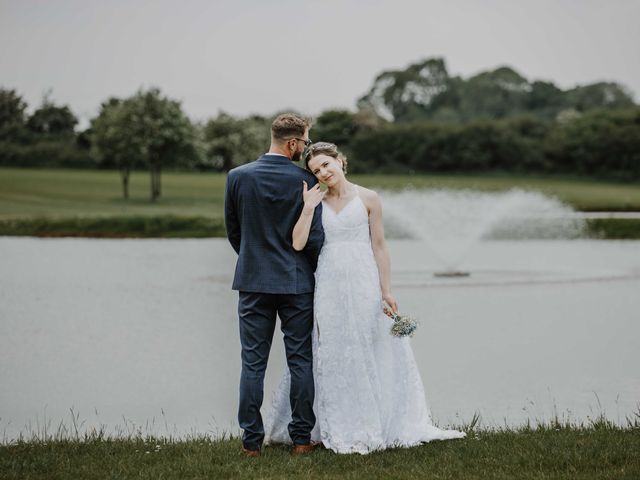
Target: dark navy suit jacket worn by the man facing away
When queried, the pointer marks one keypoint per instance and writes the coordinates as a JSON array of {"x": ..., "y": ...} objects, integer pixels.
[{"x": 263, "y": 201}]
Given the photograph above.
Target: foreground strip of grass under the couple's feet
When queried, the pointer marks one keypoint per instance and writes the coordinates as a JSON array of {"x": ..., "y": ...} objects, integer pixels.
[{"x": 554, "y": 450}]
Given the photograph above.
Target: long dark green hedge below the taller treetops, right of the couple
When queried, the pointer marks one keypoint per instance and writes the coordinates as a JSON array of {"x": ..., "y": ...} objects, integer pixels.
[{"x": 599, "y": 144}]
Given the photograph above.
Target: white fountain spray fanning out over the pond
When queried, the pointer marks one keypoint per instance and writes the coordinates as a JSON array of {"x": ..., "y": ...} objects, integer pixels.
[{"x": 451, "y": 222}]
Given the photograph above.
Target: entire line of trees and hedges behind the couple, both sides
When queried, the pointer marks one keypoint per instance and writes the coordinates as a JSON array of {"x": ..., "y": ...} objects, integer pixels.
[{"x": 417, "y": 120}]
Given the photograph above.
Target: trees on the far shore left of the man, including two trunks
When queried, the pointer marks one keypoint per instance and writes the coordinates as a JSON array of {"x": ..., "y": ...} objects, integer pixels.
[{"x": 146, "y": 131}]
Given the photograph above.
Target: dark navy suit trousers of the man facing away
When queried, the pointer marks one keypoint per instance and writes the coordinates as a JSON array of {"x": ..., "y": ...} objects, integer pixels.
[{"x": 257, "y": 314}]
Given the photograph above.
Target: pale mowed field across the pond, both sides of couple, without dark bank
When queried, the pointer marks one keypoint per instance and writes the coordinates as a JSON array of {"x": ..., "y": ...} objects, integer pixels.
[{"x": 28, "y": 193}]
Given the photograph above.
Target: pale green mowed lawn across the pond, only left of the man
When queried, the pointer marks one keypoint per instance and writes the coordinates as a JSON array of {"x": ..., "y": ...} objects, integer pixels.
[{"x": 67, "y": 193}]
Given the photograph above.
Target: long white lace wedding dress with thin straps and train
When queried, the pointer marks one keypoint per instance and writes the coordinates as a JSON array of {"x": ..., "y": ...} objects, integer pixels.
[{"x": 369, "y": 395}]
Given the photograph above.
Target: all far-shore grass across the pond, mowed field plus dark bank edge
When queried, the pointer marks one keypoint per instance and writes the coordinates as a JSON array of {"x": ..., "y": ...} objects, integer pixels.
[{"x": 89, "y": 202}]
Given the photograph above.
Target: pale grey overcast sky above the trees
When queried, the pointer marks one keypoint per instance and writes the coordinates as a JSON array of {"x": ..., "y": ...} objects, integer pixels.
[{"x": 260, "y": 56}]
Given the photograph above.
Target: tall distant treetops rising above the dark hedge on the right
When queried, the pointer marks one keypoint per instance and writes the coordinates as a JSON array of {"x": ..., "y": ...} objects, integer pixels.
[{"x": 426, "y": 91}]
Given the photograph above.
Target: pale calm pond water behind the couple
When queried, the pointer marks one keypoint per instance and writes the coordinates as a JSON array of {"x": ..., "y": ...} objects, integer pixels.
[{"x": 141, "y": 335}]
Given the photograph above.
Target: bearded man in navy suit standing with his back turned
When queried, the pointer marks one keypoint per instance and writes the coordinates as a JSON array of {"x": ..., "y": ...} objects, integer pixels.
[{"x": 263, "y": 200}]
